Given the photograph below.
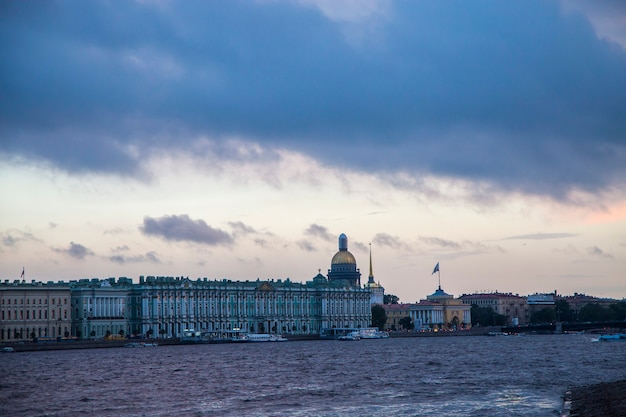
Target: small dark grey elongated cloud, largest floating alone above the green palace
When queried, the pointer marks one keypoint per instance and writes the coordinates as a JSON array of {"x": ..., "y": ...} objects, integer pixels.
[{"x": 183, "y": 228}]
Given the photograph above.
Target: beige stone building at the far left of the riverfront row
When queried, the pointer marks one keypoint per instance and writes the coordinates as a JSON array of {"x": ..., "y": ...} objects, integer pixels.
[{"x": 34, "y": 310}]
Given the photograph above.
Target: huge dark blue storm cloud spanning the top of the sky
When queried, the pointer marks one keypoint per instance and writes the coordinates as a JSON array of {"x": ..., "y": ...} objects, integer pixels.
[{"x": 522, "y": 95}]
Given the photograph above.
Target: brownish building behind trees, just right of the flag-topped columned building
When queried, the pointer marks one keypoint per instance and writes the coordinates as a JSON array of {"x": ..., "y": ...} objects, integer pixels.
[{"x": 513, "y": 306}]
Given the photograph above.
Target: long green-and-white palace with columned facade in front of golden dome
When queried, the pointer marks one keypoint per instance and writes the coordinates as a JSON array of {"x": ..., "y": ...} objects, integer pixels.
[{"x": 166, "y": 306}]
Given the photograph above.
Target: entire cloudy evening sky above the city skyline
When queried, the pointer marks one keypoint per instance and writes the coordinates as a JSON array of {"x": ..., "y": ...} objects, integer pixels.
[{"x": 238, "y": 139}]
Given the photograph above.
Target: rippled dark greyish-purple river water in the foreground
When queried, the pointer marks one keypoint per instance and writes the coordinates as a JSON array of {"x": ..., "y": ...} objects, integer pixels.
[{"x": 439, "y": 376}]
